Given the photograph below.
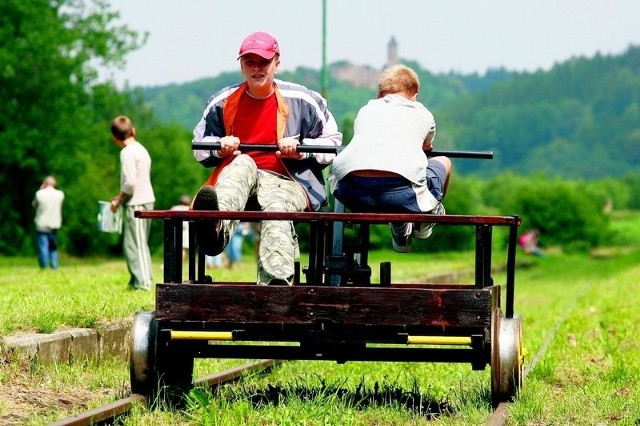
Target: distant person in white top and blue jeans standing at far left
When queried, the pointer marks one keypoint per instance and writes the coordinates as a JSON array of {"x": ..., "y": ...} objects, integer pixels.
[{"x": 48, "y": 204}]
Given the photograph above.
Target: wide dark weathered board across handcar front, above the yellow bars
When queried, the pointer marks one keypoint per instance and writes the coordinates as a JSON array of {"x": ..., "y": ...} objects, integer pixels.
[{"x": 438, "y": 306}]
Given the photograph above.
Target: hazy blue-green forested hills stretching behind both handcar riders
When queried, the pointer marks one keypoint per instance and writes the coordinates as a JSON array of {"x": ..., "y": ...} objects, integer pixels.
[{"x": 579, "y": 119}]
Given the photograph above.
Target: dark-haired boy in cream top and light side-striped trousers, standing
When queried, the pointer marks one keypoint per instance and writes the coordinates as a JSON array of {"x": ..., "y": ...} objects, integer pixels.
[{"x": 136, "y": 193}]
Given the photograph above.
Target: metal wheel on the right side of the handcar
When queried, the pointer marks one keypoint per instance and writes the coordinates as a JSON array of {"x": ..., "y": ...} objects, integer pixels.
[{"x": 507, "y": 358}]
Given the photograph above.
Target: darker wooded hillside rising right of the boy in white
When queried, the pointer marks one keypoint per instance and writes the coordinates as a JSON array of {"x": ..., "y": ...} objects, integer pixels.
[{"x": 579, "y": 119}]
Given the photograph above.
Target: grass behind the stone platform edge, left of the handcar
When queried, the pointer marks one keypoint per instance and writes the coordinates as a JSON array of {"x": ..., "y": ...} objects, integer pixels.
[{"x": 81, "y": 293}]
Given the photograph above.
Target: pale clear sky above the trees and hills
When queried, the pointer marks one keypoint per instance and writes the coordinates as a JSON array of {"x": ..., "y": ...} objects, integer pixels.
[{"x": 193, "y": 39}]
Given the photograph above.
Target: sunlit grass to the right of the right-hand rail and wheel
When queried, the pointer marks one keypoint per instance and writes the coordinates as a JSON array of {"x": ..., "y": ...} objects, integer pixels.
[{"x": 591, "y": 369}]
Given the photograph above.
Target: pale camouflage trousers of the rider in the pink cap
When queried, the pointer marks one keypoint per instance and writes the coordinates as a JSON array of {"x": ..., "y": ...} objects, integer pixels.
[{"x": 241, "y": 181}]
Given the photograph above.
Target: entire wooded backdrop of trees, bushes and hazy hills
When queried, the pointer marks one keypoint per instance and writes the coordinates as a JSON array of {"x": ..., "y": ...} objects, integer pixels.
[{"x": 552, "y": 132}]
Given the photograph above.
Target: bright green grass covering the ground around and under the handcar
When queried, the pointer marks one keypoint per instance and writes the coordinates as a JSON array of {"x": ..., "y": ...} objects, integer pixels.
[{"x": 580, "y": 330}]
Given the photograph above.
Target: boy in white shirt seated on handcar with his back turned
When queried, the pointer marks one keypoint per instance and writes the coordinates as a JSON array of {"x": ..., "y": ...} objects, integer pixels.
[{"x": 384, "y": 168}]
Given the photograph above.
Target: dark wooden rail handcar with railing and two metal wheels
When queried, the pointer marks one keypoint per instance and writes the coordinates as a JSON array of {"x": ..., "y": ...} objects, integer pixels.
[{"x": 334, "y": 312}]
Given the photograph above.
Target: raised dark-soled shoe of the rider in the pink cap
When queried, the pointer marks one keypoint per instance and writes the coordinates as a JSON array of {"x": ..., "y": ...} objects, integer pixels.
[{"x": 209, "y": 235}]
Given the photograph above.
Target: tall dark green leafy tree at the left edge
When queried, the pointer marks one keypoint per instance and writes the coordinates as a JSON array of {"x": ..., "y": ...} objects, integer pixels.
[{"x": 49, "y": 51}]
